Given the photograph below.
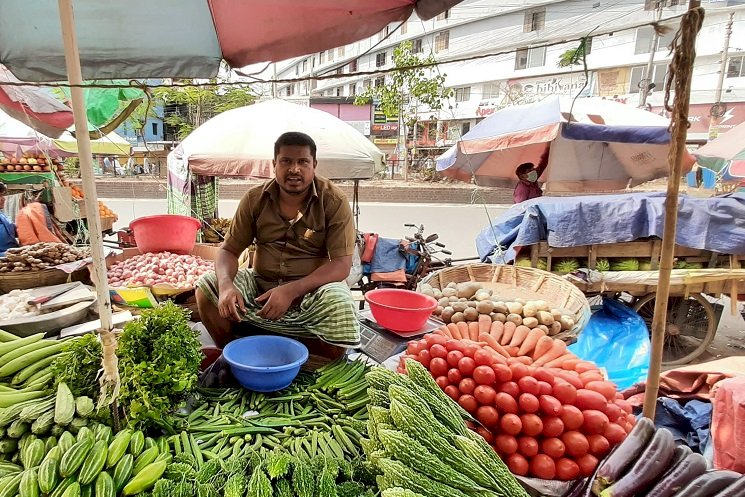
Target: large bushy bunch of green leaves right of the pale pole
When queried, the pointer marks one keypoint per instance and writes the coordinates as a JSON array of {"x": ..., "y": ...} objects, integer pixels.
[{"x": 159, "y": 358}]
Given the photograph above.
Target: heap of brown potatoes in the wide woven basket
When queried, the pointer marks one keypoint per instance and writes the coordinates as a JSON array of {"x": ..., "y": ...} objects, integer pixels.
[{"x": 464, "y": 302}]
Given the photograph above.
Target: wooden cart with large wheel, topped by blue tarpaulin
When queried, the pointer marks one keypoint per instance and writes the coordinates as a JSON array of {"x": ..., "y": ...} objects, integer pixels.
[{"x": 619, "y": 236}]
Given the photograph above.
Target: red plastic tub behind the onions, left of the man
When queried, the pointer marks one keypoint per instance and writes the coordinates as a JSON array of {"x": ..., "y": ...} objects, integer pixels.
[{"x": 168, "y": 232}]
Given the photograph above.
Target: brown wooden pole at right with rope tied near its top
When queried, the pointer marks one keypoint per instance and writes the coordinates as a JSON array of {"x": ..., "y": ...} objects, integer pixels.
[{"x": 684, "y": 51}]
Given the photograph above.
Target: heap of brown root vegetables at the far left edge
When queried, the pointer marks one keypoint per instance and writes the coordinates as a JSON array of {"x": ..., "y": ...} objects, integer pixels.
[{"x": 41, "y": 255}]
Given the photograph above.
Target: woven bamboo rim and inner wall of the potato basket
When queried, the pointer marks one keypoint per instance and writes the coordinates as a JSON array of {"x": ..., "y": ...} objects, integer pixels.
[{"x": 511, "y": 282}]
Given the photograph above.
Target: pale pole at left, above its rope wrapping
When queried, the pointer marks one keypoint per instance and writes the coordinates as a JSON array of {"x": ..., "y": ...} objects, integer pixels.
[{"x": 75, "y": 77}]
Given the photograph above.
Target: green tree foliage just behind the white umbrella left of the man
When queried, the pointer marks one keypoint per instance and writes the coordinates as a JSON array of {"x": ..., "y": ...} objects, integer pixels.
[{"x": 197, "y": 104}]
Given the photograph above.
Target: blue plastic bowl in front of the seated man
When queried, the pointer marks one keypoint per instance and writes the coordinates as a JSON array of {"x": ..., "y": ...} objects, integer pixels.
[{"x": 265, "y": 363}]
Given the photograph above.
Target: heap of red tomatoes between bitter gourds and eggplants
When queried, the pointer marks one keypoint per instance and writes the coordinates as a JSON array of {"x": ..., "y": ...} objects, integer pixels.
[{"x": 545, "y": 422}]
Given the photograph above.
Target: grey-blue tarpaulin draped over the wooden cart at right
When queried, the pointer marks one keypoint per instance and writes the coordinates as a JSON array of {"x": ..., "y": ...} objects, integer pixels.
[{"x": 716, "y": 224}]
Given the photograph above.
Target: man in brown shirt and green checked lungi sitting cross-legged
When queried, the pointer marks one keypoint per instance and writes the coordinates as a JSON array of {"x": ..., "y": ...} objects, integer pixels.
[{"x": 301, "y": 225}]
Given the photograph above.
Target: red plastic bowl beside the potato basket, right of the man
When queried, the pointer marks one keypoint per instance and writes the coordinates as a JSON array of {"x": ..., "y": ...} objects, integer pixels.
[{"x": 400, "y": 310}]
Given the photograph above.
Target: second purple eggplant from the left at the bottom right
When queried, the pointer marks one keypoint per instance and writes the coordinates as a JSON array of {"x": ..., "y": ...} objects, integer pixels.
[{"x": 648, "y": 467}]
